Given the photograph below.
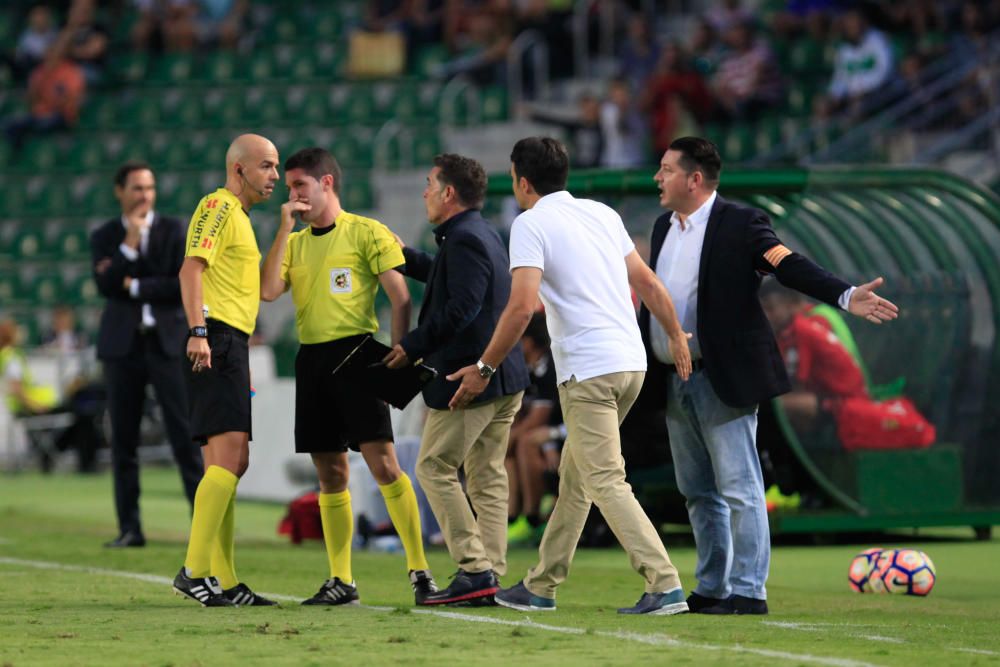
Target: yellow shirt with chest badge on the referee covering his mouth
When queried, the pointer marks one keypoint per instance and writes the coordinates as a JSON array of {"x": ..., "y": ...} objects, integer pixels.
[{"x": 334, "y": 277}]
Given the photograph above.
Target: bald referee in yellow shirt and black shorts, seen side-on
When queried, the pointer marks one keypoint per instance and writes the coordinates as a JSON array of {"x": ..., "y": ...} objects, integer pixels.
[{"x": 221, "y": 277}]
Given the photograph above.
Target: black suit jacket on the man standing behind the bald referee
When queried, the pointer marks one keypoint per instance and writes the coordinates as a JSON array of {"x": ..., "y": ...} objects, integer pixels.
[{"x": 159, "y": 286}]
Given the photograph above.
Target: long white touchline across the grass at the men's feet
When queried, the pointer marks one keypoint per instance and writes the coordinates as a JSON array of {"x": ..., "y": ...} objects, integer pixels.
[{"x": 639, "y": 638}]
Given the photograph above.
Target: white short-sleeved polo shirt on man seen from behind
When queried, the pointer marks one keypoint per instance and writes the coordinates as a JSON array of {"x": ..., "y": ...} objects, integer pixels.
[{"x": 580, "y": 245}]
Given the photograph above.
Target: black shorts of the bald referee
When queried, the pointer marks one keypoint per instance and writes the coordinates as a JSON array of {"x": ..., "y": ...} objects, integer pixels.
[{"x": 220, "y": 395}]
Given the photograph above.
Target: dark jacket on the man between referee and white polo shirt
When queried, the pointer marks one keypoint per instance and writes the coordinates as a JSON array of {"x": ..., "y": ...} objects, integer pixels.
[{"x": 468, "y": 285}]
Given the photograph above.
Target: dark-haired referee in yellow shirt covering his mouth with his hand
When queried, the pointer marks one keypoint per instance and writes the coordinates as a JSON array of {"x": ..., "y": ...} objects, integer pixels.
[{"x": 334, "y": 268}]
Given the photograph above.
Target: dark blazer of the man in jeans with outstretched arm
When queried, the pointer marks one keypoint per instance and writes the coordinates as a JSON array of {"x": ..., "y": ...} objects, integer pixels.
[{"x": 738, "y": 348}]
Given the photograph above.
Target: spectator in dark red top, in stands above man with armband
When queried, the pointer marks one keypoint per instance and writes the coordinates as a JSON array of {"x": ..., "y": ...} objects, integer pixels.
[{"x": 675, "y": 97}]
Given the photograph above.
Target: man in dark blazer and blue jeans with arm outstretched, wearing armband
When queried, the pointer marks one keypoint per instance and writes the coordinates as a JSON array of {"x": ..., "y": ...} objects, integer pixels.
[{"x": 711, "y": 254}]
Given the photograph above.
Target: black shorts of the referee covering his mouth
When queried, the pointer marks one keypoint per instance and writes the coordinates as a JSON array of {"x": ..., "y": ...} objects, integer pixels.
[{"x": 332, "y": 411}]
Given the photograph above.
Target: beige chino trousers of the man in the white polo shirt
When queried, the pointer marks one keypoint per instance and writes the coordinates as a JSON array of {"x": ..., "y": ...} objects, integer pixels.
[{"x": 592, "y": 470}]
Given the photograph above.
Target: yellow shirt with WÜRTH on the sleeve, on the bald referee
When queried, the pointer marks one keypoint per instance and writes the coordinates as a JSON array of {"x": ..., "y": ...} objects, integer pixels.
[{"x": 220, "y": 233}]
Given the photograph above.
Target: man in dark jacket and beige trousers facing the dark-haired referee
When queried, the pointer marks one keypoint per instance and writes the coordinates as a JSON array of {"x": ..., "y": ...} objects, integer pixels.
[{"x": 468, "y": 284}]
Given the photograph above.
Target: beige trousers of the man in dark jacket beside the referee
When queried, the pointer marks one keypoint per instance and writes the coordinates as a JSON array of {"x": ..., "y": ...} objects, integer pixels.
[{"x": 476, "y": 438}]
